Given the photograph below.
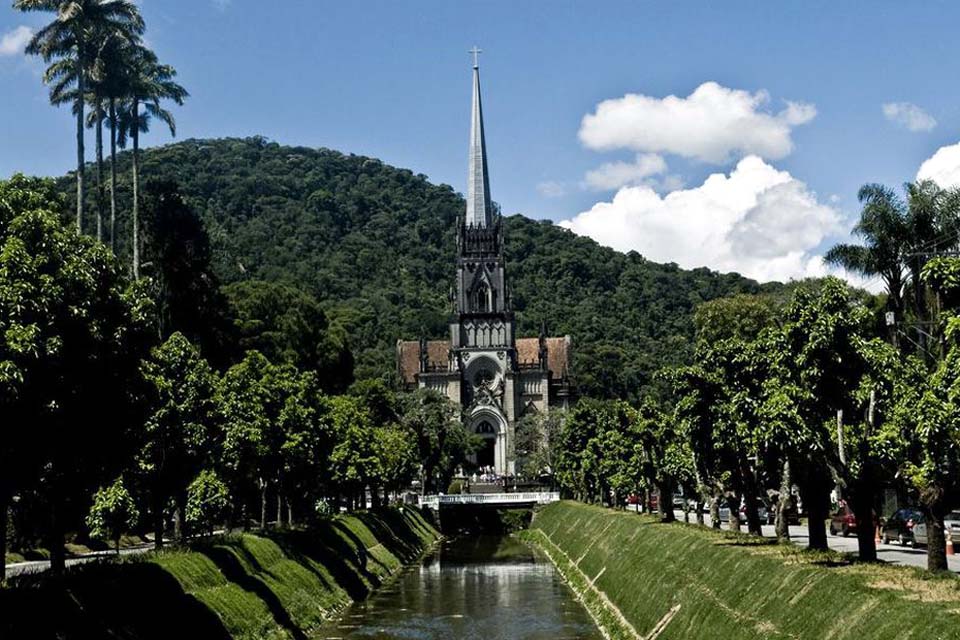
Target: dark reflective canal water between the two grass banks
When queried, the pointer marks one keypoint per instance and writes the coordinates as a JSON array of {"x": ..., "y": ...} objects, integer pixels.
[{"x": 471, "y": 588}]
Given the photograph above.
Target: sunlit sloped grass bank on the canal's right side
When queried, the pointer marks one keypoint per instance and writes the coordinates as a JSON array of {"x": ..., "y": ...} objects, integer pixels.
[{"x": 644, "y": 579}]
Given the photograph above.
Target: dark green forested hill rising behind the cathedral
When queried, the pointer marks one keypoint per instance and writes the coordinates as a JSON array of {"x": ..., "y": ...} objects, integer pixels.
[{"x": 375, "y": 244}]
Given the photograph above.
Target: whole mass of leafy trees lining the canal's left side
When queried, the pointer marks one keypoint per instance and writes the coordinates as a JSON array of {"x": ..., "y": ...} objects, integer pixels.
[{"x": 100, "y": 389}]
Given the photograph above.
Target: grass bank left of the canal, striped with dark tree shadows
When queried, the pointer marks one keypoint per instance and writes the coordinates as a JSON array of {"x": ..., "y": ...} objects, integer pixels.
[{"x": 236, "y": 587}]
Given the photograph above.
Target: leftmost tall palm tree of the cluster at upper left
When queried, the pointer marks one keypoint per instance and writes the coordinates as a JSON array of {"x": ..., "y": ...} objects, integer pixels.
[{"x": 69, "y": 43}]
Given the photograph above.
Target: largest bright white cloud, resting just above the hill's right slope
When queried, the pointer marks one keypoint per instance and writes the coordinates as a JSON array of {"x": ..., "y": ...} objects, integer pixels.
[{"x": 757, "y": 221}]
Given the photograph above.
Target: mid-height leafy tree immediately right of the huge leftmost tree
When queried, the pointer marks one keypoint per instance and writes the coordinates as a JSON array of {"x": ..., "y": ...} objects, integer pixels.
[{"x": 183, "y": 429}]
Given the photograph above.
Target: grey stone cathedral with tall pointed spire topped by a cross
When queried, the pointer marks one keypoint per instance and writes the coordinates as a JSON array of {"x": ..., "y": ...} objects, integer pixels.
[{"x": 496, "y": 377}]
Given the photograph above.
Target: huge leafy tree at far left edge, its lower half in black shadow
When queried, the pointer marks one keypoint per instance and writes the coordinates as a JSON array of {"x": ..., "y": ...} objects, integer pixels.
[{"x": 72, "y": 337}]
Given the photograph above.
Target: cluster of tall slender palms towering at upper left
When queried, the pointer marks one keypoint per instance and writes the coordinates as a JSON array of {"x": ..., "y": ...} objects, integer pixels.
[{"x": 100, "y": 66}]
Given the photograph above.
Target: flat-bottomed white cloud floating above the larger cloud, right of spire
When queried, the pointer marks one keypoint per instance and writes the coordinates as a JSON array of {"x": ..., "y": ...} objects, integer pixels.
[{"x": 712, "y": 124}]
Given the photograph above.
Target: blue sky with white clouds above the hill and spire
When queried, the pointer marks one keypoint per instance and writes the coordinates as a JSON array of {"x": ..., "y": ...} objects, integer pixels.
[{"x": 392, "y": 80}]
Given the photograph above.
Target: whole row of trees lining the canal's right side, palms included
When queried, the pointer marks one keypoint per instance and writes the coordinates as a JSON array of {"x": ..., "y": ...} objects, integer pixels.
[{"x": 809, "y": 391}]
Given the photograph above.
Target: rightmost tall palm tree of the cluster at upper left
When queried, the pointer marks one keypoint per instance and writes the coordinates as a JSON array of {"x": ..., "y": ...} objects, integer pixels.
[{"x": 149, "y": 83}]
